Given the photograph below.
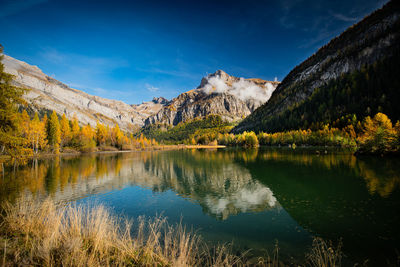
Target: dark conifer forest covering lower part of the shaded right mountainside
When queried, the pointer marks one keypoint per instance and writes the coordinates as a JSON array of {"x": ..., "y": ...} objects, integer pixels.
[{"x": 371, "y": 90}]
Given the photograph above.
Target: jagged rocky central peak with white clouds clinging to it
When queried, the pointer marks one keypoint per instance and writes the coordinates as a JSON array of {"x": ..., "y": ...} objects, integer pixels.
[{"x": 219, "y": 93}]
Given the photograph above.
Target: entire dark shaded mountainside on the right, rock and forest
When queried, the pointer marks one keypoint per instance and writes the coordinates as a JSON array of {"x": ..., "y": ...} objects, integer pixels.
[{"x": 355, "y": 73}]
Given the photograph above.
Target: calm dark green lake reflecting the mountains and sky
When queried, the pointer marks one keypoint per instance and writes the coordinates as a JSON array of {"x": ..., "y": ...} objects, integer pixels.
[{"x": 253, "y": 198}]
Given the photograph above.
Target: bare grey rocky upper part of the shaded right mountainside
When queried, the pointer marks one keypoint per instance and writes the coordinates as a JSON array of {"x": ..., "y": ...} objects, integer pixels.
[{"x": 373, "y": 39}]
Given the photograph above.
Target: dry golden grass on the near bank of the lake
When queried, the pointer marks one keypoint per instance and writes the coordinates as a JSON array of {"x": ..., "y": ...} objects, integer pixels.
[{"x": 43, "y": 233}]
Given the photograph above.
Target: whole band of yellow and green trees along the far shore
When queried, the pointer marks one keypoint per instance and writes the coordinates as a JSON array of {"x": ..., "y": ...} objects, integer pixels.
[{"x": 23, "y": 135}]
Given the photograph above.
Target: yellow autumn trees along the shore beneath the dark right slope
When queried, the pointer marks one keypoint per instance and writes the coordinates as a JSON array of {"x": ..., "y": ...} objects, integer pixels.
[{"x": 376, "y": 135}]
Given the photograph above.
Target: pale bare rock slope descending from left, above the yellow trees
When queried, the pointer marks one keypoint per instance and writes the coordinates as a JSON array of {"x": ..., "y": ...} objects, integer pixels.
[{"x": 48, "y": 93}]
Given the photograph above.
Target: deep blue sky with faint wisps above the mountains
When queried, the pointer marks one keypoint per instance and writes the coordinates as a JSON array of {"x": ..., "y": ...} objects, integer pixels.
[{"x": 136, "y": 50}]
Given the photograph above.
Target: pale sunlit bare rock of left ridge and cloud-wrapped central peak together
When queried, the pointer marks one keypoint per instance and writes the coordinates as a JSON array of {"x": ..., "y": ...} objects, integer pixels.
[{"x": 219, "y": 93}]
